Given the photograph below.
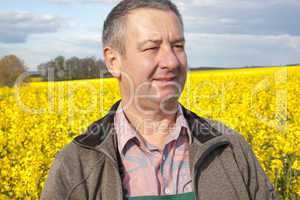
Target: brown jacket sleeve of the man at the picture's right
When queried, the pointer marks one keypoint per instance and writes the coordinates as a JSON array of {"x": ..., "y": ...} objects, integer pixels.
[{"x": 259, "y": 185}]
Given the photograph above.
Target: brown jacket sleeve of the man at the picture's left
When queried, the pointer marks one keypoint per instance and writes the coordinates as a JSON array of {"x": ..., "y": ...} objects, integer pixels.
[{"x": 56, "y": 186}]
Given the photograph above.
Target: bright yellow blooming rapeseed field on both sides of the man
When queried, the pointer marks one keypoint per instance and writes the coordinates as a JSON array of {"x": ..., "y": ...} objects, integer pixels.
[{"x": 38, "y": 119}]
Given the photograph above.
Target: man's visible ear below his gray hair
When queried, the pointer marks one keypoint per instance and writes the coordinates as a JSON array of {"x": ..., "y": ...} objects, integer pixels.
[{"x": 112, "y": 60}]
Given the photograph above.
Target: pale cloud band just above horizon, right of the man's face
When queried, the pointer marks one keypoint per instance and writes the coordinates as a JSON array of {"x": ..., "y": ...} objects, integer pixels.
[{"x": 206, "y": 49}]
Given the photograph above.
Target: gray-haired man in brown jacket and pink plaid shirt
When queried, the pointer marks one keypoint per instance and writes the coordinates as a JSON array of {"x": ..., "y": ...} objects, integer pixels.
[{"x": 149, "y": 146}]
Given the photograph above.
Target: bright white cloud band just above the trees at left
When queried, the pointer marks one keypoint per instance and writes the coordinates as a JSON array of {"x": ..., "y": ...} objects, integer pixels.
[{"x": 42, "y": 48}]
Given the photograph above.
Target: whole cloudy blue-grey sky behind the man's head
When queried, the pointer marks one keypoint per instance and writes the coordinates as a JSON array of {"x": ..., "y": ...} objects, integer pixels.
[{"x": 218, "y": 32}]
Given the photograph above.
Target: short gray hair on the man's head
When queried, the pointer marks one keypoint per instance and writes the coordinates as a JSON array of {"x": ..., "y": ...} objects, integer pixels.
[{"x": 114, "y": 27}]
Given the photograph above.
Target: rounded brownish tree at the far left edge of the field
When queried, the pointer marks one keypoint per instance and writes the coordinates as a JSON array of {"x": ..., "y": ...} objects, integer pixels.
[{"x": 11, "y": 67}]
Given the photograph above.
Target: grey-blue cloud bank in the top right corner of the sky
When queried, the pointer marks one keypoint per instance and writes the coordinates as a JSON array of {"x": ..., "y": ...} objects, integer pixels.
[{"x": 270, "y": 17}]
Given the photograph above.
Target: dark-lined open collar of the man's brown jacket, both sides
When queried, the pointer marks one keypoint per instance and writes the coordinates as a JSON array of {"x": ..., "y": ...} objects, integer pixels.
[{"x": 101, "y": 135}]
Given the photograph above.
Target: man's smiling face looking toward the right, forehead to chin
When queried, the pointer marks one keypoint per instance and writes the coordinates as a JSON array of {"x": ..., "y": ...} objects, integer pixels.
[{"x": 155, "y": 63}]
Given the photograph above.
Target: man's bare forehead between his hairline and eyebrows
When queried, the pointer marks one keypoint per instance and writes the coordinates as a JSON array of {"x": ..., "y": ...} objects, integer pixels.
[{"x": 148, "y": 23}]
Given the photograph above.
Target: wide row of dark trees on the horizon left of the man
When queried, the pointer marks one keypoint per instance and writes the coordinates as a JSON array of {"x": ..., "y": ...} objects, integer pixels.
[{"x": 73, "y": 68}]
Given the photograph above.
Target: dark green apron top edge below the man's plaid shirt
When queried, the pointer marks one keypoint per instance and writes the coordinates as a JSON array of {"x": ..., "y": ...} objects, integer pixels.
[{"x": 183, "y": 196}]
